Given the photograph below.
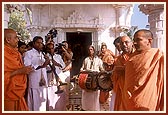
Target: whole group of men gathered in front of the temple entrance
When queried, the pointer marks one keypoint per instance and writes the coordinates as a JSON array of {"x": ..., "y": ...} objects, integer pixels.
[{"x": 37, "y": 78}]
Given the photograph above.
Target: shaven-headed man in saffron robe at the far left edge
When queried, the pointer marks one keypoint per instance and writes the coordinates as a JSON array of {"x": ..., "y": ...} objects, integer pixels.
[{"x": 15, "y": 78}]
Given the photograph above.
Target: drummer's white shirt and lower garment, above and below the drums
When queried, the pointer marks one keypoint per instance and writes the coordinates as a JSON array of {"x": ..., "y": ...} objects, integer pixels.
[{"x": 90, "y": 99}]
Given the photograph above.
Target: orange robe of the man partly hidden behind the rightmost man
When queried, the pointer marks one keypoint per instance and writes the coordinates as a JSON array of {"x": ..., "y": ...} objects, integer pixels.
[{"x": 118, "y": 79}]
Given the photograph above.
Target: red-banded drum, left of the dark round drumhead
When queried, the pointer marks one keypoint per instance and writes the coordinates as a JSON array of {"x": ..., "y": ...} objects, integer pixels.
[{"x": 88, "y": 81}]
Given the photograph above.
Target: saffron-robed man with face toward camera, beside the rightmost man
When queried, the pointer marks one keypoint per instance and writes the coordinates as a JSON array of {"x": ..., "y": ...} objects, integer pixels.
[{"x": 118, "y": 77}]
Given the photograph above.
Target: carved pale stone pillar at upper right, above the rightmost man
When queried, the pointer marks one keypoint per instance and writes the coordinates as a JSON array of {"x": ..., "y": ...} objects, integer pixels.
[{"x": 156, "y": 20}]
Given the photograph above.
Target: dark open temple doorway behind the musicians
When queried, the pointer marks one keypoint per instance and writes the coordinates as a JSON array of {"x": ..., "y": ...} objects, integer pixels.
[{"x": 78, "y": 43}]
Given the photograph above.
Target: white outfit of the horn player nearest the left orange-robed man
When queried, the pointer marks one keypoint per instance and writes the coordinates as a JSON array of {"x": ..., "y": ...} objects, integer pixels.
[{"x": 37, "y": 95}]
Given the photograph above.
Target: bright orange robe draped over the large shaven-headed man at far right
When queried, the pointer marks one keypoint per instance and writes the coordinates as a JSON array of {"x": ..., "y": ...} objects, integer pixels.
[{"x": 144, "y": 82}]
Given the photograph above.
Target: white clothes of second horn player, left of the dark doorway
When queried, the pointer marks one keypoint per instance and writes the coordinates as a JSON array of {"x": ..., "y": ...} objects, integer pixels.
[{"x": 56, "y": 102}]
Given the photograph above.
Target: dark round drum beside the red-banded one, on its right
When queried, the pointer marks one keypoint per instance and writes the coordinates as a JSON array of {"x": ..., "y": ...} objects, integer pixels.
[{"x": 104, "y": 81}]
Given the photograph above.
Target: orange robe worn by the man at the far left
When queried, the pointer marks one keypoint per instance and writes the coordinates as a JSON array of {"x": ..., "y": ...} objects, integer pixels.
[{"x": 15, "y": 86}]
